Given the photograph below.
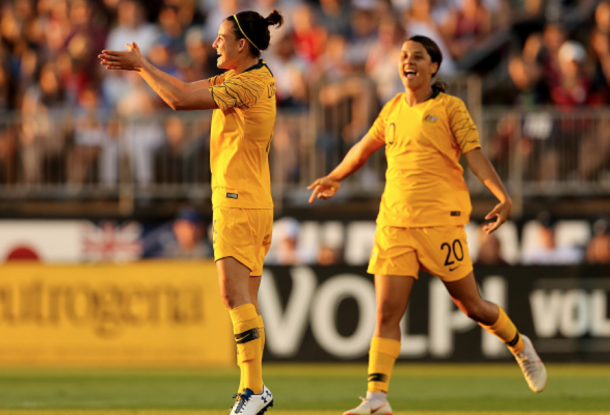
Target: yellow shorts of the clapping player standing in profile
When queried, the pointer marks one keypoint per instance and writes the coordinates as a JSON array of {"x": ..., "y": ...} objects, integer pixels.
[{"x": 244, "y": 234}]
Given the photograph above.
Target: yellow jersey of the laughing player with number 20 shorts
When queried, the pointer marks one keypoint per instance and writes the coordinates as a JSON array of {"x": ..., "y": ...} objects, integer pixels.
[{"x": 424, "y": 180}]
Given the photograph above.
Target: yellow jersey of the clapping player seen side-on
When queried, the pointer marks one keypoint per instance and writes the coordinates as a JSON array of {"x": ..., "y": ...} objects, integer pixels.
[{"x": 242, "y": 129}]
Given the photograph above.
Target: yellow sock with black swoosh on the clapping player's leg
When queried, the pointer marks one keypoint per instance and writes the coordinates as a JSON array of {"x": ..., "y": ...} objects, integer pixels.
[{"x": 248, "y": 338}]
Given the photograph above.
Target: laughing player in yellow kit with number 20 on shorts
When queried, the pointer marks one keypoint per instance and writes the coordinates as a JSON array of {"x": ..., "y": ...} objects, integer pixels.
[{"x": 422, "y": 215}]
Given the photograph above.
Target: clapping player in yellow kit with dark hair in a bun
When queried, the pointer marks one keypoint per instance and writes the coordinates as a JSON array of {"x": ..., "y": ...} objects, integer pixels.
[{"x": 242, "y": 127}]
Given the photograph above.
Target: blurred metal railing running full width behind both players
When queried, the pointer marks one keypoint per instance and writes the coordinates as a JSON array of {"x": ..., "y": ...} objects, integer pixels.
[{"x": 541, "y": 152}]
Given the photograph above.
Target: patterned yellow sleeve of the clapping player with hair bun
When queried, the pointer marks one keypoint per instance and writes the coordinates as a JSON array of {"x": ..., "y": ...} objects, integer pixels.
[{"x": 241, "y": 91}]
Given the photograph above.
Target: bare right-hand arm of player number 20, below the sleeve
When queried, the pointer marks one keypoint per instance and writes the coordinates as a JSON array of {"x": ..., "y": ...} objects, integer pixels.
[{"x": 482, "y": 168}]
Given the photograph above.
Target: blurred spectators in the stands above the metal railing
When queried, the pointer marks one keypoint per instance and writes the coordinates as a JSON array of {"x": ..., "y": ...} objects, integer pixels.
[{"x": 530, "y": 52}]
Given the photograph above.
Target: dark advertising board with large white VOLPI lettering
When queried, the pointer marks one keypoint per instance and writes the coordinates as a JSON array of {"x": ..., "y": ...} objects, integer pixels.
[{"x": 328, "y": 314}]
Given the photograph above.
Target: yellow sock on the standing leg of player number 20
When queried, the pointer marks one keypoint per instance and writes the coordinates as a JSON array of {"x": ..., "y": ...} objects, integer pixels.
[{"x": 382, "y": 356}]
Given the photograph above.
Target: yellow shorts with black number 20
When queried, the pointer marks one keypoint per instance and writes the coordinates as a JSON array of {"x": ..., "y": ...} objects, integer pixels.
[{"x": 441, "y": 251}]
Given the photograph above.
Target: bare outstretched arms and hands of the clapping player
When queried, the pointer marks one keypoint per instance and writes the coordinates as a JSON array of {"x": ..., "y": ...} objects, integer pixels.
[{"x": 177, "y": 94}]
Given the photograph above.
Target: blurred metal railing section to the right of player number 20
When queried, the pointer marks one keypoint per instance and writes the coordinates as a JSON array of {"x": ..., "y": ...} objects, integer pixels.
[{"x": 548, "y": 152}]
